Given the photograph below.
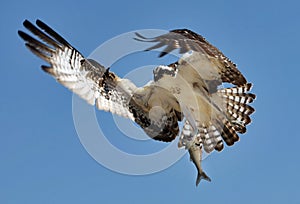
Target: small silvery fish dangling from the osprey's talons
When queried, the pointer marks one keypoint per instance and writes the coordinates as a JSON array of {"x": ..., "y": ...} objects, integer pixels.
[{"x": 195, "y": 152}]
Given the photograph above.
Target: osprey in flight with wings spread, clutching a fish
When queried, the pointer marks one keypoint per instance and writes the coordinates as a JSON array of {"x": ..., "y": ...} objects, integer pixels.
[{"x": 188, "y": 90}]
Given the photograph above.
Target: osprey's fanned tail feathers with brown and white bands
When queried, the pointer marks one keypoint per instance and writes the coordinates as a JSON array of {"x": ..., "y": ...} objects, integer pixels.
[{"x": 234, "y": 116}]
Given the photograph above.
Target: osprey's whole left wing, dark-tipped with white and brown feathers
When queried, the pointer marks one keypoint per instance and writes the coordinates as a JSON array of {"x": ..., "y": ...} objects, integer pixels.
[{"x": 95, "y": 84}]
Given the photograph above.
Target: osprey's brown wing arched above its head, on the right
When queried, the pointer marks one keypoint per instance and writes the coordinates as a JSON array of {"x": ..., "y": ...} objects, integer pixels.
[{"x": 186, "y": 40}]
